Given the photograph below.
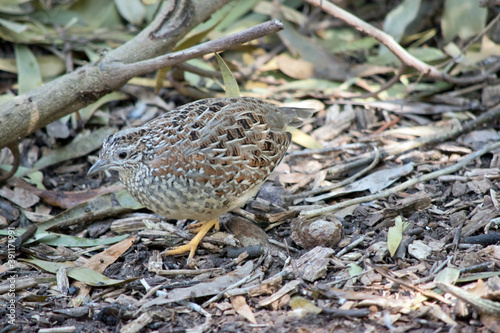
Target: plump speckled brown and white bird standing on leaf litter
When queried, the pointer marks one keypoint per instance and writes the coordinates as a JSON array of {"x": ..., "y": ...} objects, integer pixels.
[{"x": 202, "y": 159}]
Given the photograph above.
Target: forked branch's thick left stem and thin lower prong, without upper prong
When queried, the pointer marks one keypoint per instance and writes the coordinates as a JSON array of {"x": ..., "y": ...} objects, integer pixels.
[{"x": 33, "y": 110}]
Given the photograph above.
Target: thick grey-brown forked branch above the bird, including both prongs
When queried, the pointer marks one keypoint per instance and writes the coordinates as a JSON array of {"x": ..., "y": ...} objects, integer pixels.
[{"x": 25, "y": 114}]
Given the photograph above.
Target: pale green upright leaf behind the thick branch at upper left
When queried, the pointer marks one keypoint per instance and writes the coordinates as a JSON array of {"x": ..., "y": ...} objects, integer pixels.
[{"x": 29, "y": 76}]
